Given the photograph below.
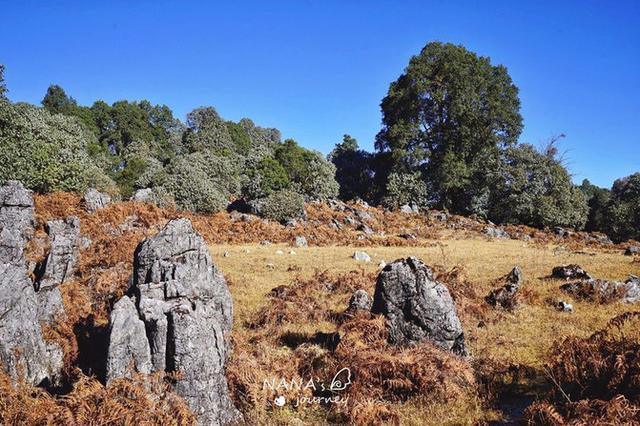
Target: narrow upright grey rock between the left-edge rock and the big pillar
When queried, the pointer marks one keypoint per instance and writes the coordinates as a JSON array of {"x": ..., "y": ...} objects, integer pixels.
[{"x": 60, "y": 264}]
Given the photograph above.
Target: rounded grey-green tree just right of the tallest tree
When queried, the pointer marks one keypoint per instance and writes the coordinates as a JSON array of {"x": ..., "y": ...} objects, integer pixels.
[{"x": 533, "y": 188}]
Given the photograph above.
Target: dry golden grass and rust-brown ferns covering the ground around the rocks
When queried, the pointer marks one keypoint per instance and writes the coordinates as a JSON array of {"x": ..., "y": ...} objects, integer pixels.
[{"x": 300, "y": 332}]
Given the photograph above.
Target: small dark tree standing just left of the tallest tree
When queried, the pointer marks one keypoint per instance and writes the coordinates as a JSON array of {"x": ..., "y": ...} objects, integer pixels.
[{"x": 353, "y": 169}]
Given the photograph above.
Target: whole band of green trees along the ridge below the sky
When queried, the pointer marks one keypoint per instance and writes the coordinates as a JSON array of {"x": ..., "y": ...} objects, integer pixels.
[{"x": 449, "y": 140}]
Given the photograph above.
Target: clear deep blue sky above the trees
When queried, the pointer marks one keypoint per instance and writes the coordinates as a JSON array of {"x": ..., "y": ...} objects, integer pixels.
[{"x": 318, "y": 69}]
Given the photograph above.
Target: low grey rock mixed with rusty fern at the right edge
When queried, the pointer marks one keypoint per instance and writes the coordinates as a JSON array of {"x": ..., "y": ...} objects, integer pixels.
[{"x": 605, "y": 291}]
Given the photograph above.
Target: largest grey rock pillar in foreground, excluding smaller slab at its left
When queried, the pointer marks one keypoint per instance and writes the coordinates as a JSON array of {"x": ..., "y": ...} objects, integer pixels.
[{"x": 186, "y": 308}]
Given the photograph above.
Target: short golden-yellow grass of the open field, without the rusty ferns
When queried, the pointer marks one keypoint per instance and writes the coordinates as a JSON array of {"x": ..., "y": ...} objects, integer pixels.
[{"x": 522, "y": 338}]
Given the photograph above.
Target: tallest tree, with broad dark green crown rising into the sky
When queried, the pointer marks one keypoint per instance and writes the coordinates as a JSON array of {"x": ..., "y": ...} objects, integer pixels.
[{"x": 447, "y": 115}]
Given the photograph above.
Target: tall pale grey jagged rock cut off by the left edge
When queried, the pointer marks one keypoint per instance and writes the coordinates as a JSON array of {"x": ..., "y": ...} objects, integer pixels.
[{"x": 24, "y": 354}]
